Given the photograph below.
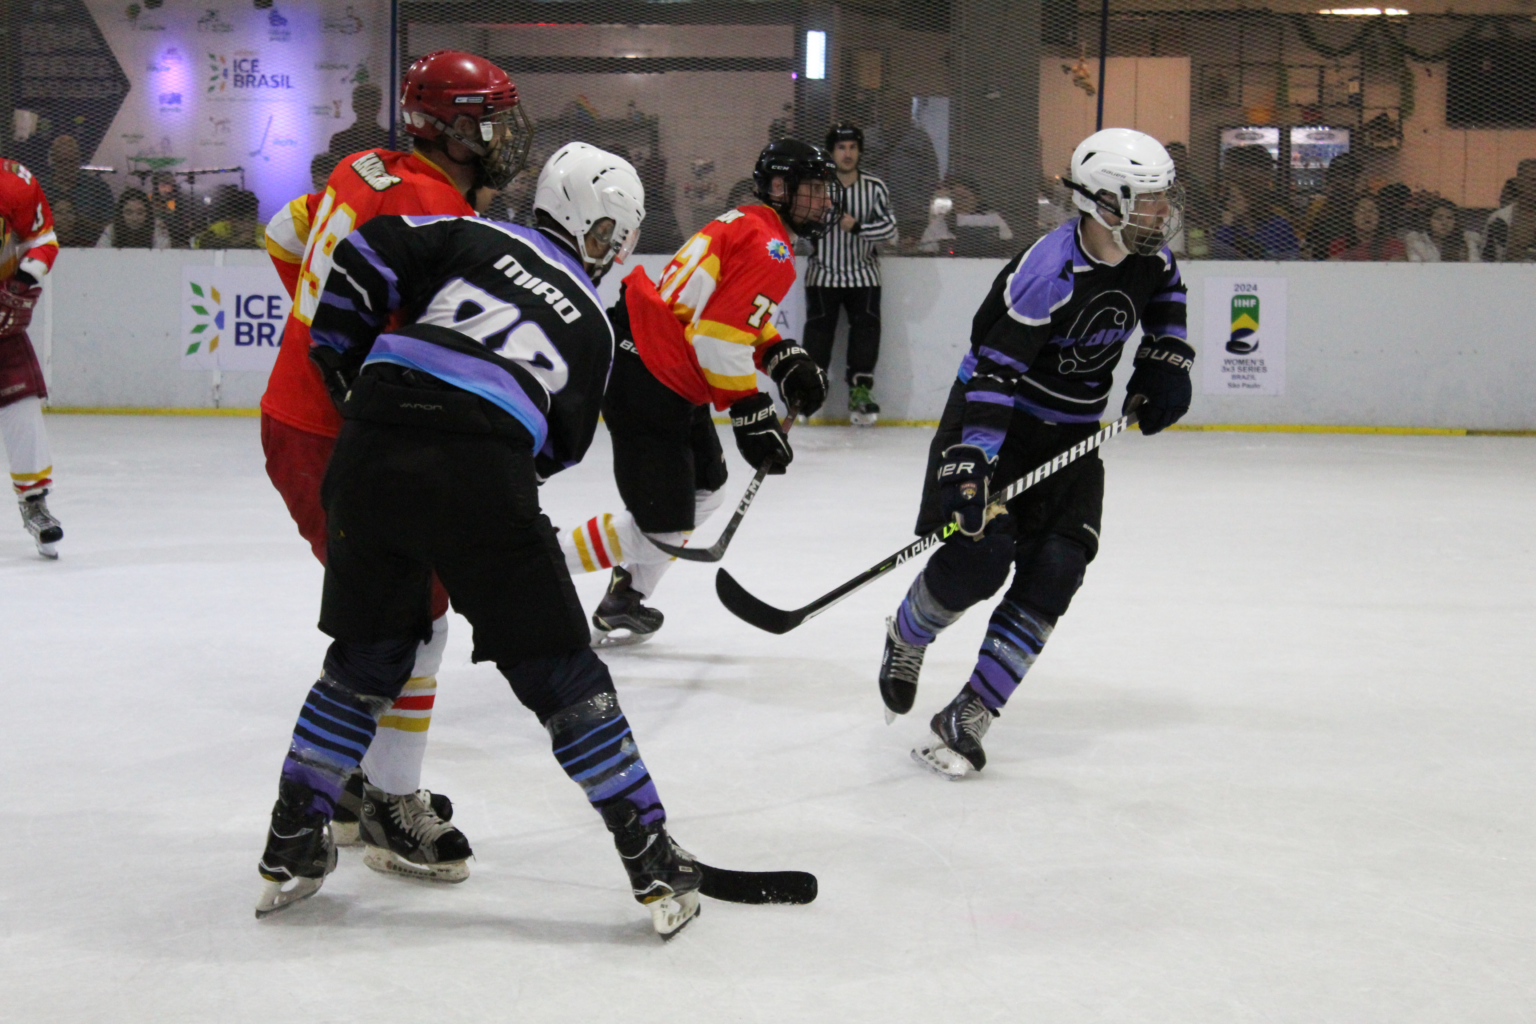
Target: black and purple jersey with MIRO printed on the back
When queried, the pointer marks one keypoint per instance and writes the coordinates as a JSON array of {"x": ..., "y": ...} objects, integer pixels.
[{"x": 495, "y": 309}]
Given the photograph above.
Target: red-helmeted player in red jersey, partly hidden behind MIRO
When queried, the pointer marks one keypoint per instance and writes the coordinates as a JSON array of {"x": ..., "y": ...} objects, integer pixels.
[{"x": 471, "y": 140}]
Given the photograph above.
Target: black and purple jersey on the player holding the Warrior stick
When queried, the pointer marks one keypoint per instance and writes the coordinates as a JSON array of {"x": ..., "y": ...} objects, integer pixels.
[{"x": 1050, "y": 334}]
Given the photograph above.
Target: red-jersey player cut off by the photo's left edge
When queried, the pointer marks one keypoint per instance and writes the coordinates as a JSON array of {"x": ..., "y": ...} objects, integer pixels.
[{"x": 27, "y": 254}]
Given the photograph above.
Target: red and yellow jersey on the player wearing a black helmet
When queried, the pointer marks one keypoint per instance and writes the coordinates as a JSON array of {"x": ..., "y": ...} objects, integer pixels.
[{"x": 703, "y": 329}]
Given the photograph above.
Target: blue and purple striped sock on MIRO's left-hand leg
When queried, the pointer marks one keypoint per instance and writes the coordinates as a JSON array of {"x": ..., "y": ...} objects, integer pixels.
[{"x": 334, "y": 732}]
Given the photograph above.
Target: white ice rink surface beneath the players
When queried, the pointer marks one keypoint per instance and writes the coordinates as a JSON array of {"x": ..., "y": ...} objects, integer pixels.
[{"x": 1277, "y": 764}]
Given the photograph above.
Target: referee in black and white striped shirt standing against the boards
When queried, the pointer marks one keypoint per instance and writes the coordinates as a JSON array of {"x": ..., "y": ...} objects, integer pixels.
[{"x": 846, "y": 274}]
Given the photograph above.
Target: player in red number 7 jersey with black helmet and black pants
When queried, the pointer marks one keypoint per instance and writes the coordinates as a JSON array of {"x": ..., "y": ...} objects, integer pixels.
[{"x": 694, "y": 342}]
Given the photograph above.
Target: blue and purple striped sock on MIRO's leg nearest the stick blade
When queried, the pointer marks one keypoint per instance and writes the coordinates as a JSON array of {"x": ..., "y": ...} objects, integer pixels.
[{"x": 594, "y": 744}]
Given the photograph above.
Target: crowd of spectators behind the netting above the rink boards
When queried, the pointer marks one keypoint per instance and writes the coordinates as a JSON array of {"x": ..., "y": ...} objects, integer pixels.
[{"x": 1245, "y": 217}]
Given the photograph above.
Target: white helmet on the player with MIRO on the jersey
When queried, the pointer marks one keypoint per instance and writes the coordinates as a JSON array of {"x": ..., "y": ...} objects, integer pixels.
[{"x": 581, "y": 187}]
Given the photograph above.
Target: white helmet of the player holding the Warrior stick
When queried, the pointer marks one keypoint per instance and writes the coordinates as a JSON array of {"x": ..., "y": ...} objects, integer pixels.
[{"x": 1127, "y": 176}]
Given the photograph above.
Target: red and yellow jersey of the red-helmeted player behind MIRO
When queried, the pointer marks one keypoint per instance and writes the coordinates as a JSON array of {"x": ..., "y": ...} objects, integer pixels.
[{"x": 302, "y": 240}]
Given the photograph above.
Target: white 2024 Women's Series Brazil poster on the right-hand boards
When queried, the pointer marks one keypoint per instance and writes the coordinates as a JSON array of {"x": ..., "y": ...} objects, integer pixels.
[{"x": 1243, "y": 351}]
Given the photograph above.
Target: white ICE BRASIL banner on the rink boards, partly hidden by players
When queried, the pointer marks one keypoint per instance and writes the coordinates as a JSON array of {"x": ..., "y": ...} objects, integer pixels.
[{"x": 231, "y": 319}]
